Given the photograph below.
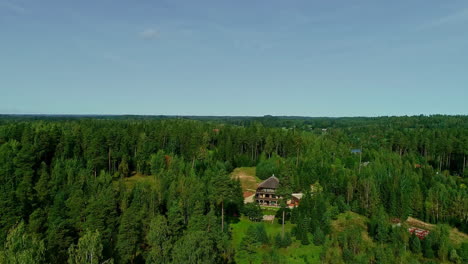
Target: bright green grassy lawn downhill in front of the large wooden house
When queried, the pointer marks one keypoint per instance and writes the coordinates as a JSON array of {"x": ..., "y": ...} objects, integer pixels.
[{"x": 296, "y": 253}]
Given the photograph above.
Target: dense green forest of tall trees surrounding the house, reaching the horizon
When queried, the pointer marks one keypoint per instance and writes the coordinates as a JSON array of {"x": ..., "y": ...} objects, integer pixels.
[{"x": 142, "y": 189}]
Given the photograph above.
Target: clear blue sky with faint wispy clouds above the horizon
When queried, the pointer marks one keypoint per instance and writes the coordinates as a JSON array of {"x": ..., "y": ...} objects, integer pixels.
[{"x": 243, "y": 57}]
